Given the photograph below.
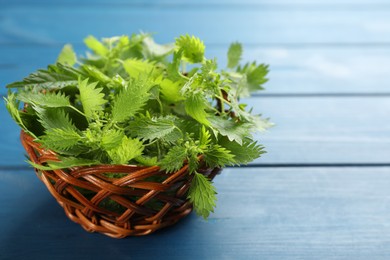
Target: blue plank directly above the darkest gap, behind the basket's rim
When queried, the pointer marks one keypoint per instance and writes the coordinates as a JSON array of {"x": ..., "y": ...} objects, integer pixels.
[{"x": 308, "y": 131}]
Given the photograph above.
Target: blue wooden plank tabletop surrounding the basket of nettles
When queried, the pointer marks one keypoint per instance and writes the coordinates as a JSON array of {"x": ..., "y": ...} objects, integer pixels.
[{"x": 323, "y": 189}]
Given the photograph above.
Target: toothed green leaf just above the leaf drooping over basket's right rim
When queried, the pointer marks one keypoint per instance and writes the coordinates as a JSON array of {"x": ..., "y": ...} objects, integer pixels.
[{"x": 218, "y": 156}]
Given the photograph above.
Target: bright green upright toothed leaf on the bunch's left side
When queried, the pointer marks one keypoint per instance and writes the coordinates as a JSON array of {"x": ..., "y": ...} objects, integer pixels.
[{"x": 91, "y": 97}]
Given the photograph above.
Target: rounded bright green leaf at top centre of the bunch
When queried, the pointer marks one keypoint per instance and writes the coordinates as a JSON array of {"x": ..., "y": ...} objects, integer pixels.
[{"x": 193, "y": 48}]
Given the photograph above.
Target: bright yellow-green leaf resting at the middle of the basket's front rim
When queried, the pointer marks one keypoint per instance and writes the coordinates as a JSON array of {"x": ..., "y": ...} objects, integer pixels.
[{"x": 128, "y": 150}]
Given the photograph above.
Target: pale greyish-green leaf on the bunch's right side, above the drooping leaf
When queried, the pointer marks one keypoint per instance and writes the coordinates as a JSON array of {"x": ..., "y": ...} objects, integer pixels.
[{"x": 235, "y": 131}]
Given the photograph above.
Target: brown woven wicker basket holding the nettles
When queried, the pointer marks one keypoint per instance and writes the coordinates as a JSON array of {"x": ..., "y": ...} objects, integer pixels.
[{"x": 116, "y": 200}]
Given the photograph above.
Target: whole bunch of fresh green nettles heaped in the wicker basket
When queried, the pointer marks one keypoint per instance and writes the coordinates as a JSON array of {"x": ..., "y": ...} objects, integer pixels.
[{"x": 131, "y": 101}]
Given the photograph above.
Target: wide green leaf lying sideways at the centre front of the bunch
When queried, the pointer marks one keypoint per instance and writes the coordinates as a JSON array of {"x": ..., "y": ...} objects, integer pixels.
[{"x": 150, "y": 129}]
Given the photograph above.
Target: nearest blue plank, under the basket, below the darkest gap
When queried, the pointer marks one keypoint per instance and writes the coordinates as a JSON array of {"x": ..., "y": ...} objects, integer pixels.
[{"x": 306, "y": 213}]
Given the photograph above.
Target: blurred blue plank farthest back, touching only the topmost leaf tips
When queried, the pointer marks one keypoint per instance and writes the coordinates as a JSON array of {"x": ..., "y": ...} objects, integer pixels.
[{"x": 44, "y": 25}]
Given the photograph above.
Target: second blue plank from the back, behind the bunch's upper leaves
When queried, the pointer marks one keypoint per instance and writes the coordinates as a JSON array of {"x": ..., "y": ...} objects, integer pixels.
[{"x": 310, "y": 71}]
